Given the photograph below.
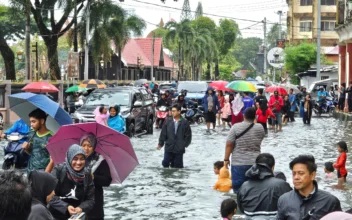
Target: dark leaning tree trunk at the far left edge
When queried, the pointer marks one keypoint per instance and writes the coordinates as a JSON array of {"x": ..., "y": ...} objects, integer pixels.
[{"x": 9, "y": 59}]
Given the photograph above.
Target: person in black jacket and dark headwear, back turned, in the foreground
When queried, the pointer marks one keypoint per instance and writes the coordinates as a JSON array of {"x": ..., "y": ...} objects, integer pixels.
[{"x": 257, "y": 197}]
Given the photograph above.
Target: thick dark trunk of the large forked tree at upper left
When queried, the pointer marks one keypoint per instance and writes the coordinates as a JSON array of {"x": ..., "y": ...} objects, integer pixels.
[{"x": 51, "y": 44}]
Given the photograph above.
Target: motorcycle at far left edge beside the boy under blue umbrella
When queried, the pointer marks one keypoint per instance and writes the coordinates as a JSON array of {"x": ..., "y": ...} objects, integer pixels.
[{"x": 13, "y": 158}]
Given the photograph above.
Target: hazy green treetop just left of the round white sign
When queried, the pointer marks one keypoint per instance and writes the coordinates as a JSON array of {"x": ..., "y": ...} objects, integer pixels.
[{"x": 246, "y": 50}]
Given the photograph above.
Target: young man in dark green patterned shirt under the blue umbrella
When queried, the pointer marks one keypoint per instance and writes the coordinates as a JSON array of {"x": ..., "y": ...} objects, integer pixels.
[{"x": 38, "y": 138}]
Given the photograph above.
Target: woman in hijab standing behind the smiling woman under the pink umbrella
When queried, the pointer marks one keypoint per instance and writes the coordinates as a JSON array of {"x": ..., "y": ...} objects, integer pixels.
[{"x": 101, "y": 172}]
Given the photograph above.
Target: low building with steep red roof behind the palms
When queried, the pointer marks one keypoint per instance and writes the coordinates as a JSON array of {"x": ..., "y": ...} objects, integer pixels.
[{"x": 136, "y": 62}]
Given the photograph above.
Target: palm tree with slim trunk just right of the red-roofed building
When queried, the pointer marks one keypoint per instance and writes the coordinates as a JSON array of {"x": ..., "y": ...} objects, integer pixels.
[{"x": 182, "y": 33}]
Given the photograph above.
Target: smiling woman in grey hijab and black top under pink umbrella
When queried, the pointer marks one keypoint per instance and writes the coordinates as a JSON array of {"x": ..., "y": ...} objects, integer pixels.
[{"x": 74, "y": 192}]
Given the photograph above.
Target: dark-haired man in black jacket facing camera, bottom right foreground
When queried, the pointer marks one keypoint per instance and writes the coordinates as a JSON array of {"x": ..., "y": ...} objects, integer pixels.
[{"x": 306, "y": 201}]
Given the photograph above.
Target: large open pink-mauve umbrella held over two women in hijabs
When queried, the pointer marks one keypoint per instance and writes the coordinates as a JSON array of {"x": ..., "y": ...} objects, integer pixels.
[{"x": 115, "y": 147}]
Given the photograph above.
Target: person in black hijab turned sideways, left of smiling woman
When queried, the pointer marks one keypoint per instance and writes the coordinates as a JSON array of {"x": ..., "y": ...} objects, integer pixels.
[{"x": 42, "y": 187}]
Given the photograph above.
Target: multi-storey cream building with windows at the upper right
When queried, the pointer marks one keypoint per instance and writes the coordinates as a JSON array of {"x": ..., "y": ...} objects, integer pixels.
[{"x": 302, "y": 21}]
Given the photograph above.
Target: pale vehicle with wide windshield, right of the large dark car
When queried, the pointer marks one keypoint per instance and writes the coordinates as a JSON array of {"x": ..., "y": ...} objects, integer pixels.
[{"x": 195, "y": 90}]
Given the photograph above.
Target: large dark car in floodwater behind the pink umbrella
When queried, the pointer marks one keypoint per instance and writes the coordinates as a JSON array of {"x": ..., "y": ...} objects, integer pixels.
[{"x": 137, "y": 107}]
